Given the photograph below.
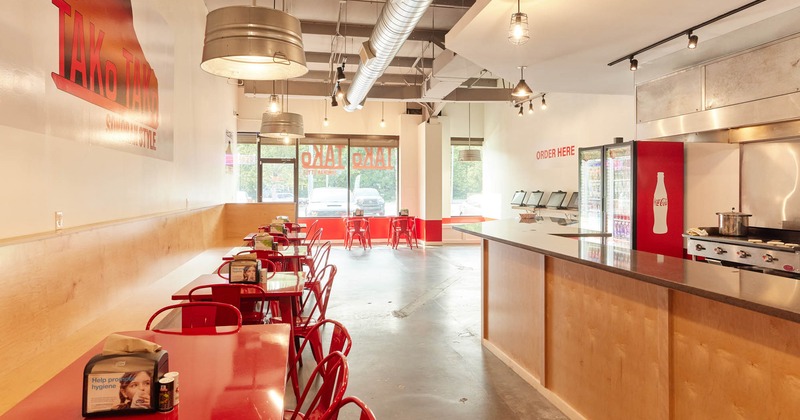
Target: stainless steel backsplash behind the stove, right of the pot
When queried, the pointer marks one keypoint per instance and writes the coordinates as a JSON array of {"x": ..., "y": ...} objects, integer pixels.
[{"x": 770, "y": 178}]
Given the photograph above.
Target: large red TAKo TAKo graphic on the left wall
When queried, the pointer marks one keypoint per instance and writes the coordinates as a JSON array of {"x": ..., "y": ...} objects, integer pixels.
[{"x": 101, "y": 61}]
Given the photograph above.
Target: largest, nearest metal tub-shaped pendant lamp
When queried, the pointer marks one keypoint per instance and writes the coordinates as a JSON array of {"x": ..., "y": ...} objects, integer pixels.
[{"x": 253, "y": 43}]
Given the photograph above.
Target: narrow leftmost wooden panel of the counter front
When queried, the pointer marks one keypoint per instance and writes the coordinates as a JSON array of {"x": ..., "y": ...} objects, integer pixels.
[{"x": 515, "y": 299}]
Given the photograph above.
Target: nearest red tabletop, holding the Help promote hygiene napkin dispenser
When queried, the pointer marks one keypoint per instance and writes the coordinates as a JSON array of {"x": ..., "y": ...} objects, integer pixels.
[{"x": 238, "y": 376}]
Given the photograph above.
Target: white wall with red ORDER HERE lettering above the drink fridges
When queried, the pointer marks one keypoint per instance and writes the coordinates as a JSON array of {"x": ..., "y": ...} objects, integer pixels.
[{"x": 511, "y": 143}]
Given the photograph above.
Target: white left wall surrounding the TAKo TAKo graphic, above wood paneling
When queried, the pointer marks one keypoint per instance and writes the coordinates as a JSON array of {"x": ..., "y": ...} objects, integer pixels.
[{"x": 45, "y": 168}]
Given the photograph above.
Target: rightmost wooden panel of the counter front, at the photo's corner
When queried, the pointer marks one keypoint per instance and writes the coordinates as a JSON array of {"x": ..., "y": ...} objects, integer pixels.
[{"x": 729, "y": 362}]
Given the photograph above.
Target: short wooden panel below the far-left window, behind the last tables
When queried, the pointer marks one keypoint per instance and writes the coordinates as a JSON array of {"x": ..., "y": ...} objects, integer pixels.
[{"x": 242, "y": 218}]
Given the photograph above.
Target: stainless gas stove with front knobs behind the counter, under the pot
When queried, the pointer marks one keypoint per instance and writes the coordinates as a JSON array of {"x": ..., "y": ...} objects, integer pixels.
[{"x": 772, "y": 250}]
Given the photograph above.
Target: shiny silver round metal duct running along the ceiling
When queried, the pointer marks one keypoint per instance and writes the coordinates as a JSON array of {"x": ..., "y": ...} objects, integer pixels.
[{"x": 398, "y": 18}]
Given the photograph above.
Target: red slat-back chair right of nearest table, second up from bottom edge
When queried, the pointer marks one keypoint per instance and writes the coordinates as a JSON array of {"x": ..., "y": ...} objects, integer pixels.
[{"x": 335, "y": 374}]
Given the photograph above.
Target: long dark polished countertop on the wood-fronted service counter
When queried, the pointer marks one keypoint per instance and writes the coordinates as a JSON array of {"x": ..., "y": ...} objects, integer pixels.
[{"x": 772, "y": 295}]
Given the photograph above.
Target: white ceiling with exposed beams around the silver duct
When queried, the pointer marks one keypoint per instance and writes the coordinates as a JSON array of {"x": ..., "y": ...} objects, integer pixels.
[{"x": 463, "y": 43}]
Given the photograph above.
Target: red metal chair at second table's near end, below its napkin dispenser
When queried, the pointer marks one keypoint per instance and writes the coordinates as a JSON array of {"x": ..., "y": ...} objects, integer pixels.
[{"x": 250, "y": 299}]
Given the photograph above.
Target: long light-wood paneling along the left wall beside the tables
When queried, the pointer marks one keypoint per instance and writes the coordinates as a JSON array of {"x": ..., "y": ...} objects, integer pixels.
[{"x": 54, "y": 286}]
